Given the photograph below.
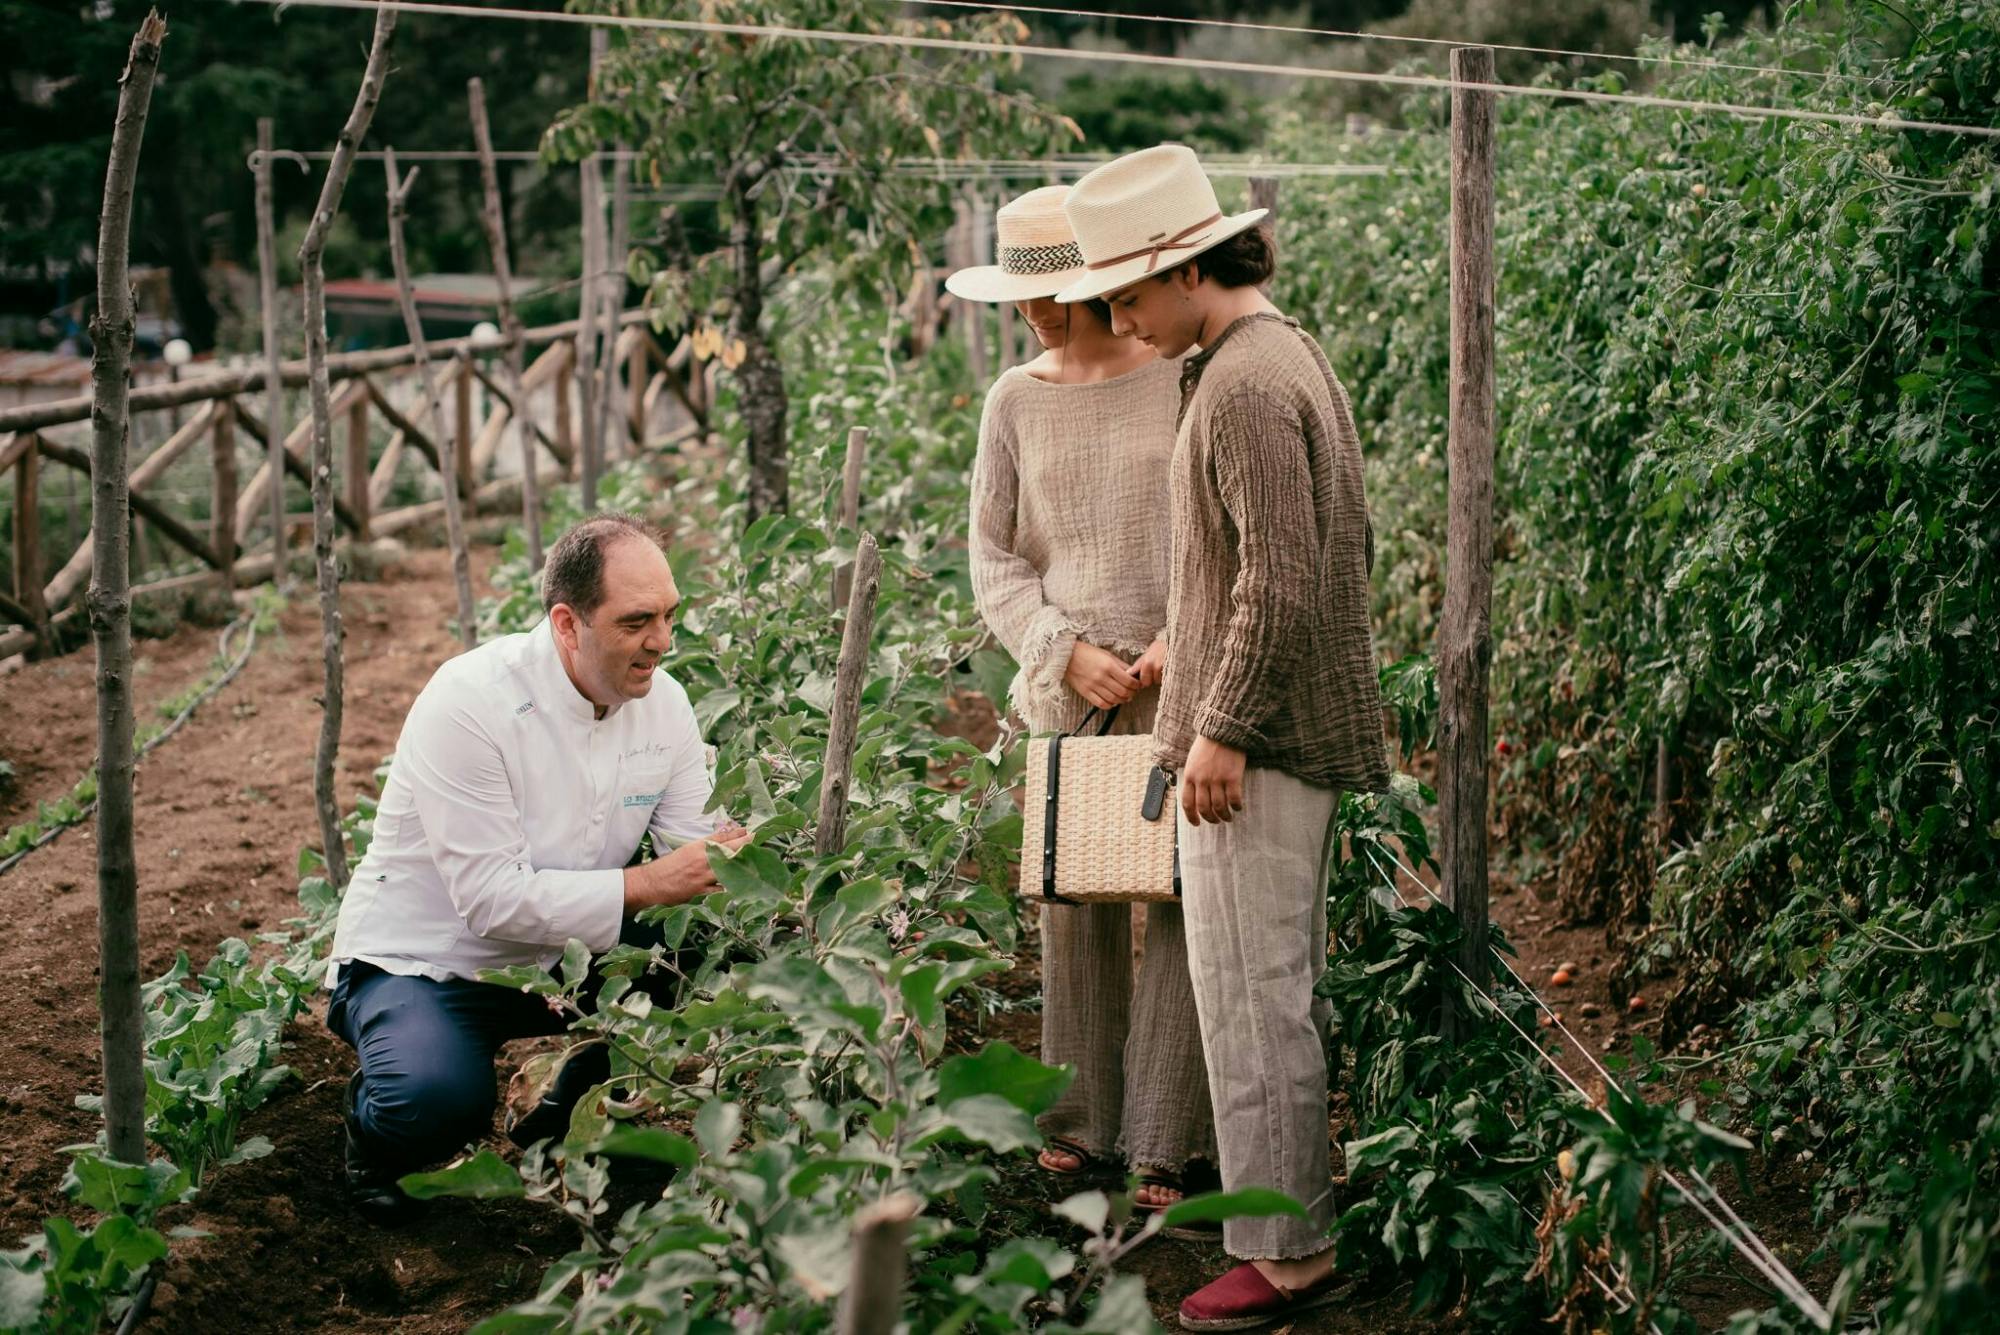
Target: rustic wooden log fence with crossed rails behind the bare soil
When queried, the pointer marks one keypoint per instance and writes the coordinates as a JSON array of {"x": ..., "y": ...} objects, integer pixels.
[{"x": 227, "y": 411}]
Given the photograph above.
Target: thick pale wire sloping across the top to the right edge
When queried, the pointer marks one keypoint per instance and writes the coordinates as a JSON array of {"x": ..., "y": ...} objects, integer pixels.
[{"x": 1139, "y": 59}]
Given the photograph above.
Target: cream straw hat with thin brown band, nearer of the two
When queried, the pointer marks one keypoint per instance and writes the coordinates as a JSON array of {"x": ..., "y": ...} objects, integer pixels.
[{"x": 1143, "y": 215}]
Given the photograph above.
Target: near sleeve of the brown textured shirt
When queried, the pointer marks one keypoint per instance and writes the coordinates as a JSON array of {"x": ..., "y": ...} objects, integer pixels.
[{"x": 1265, "y": 483}]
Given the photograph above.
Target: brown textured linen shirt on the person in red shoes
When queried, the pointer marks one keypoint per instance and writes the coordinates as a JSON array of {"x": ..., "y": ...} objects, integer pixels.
[{"x": 1269, "y": 643}]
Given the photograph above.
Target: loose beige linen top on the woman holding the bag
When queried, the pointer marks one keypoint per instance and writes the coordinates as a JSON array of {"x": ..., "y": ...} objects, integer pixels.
[{"x": 1071, "y": 529}]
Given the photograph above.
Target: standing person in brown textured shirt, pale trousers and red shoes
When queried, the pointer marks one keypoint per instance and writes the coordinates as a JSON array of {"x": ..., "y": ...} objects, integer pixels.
[{"x": 1269, "y": 706}]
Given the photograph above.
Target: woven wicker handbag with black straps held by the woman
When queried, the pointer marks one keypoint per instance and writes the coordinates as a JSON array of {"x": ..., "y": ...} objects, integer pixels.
[{"x": 1099, "y": 822}]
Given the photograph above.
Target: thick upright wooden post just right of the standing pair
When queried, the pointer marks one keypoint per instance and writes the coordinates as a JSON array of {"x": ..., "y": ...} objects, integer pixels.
[{"x": 1465, "y": 639}]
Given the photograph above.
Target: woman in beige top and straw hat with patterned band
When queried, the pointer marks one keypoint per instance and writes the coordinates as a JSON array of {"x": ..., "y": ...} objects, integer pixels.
[{"x": 1071, "y": 573}]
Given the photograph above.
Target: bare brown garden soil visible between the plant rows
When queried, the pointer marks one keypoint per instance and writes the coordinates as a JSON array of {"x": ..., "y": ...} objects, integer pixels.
[{"x": 223, "y": 810}]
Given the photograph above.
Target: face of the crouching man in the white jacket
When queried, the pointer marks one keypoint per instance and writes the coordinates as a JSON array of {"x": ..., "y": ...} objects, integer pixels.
[{"x": 619, "y": 647}]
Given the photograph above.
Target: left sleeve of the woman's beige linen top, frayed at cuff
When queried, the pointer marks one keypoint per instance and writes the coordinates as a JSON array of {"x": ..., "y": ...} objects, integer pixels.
[{"x": 1005, "y": 587}]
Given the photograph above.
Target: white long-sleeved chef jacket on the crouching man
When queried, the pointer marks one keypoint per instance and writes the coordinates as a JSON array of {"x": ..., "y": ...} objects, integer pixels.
[{"x": 511, "y": 812}]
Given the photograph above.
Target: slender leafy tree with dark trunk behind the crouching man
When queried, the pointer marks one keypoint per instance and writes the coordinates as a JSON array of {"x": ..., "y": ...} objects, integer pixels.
[{"x": 809, "y": 147}]
